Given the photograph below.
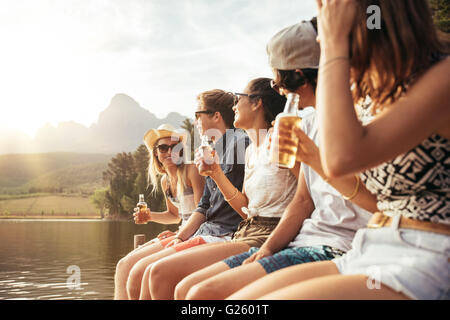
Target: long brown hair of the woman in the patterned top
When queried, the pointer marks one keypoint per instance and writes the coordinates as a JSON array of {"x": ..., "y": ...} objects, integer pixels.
[{"x": 396, "y": 54}]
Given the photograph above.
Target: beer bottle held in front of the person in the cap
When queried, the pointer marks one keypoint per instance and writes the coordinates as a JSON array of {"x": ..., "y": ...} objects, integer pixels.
[{"x": 283, "y": 150}]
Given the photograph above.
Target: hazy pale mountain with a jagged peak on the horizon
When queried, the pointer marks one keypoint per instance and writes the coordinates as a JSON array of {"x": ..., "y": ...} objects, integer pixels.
[{"x": 119, "y": 128}]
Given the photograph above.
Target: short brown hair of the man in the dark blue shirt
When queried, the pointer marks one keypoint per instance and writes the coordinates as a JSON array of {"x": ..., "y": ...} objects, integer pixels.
[{"x": 219, "y": 101}]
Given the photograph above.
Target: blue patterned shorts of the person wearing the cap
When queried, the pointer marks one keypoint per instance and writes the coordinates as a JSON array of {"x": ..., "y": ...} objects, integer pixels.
[{"x": 287, "y": 257}]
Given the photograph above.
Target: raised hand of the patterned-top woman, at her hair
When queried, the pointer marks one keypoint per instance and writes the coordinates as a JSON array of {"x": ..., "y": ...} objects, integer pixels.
[{"x": 335, "y": 20}]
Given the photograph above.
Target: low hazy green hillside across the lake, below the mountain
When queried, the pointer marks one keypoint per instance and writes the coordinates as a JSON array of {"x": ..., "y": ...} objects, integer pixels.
[{"x": 63, "y": 171}]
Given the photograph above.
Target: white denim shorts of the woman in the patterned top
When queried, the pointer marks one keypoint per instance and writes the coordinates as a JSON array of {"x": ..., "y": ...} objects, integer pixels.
[{"x": 415, "y": 263}]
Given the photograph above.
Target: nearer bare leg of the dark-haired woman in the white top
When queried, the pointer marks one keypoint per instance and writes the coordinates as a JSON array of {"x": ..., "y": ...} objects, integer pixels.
[{"x": 166, "y": 273}]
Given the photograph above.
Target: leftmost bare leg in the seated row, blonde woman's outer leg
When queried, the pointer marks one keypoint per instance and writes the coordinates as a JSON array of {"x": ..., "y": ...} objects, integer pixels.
[{"x": 126, "y": 263}]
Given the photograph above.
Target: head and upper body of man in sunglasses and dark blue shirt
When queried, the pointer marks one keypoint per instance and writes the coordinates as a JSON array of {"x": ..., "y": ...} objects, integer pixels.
[{"x": 214, "y": 220}]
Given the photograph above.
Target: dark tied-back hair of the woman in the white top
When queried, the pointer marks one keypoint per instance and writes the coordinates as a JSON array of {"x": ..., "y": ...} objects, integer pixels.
[{"x": 272, "y": 102}]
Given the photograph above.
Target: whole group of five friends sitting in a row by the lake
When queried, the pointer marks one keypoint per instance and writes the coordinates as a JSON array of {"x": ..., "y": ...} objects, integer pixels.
[{"x": 365, "y": 211}]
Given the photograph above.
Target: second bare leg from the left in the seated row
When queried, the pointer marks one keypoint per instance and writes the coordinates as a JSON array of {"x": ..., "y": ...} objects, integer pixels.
[{"x": 137, "y": 271}]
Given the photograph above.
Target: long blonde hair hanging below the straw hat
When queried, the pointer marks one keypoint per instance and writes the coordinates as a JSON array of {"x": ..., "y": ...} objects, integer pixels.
[{"x": 156, "y": 171}]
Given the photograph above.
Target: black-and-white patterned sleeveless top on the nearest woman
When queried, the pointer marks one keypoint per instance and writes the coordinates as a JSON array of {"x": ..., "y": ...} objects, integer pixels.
[{"x": 415, "y": 184}]
